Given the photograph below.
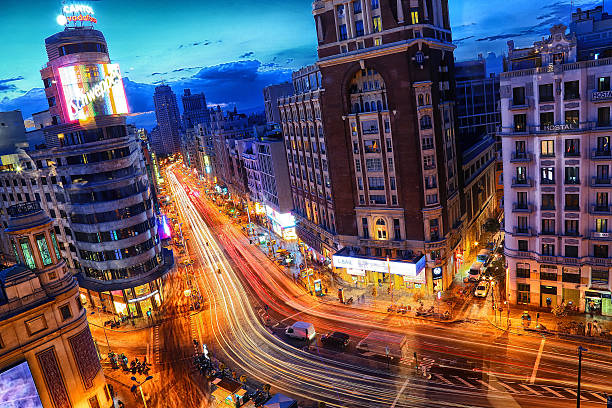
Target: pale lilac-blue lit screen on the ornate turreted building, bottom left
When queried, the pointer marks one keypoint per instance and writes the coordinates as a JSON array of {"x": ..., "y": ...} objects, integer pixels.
[{"x": 17, "y": 388}]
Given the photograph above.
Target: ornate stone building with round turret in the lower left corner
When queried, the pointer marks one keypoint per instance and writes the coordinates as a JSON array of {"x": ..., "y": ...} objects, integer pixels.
[{"x": 47, "y": 354}]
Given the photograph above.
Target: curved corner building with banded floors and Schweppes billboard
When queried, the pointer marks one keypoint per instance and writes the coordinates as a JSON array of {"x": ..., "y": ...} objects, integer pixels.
[{"x": 101, "y": 171}]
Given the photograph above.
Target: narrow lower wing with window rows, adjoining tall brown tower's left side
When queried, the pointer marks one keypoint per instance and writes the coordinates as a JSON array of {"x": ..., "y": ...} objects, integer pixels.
[{"x": 307, "y": 158}]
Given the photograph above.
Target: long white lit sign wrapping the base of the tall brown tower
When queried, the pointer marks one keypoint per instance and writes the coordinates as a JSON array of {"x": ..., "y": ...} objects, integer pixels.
[{"x": 406, "y": 269}]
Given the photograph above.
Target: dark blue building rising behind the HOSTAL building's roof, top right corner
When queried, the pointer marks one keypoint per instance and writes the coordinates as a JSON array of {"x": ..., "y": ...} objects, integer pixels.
[{"x": 593, "y": 31}]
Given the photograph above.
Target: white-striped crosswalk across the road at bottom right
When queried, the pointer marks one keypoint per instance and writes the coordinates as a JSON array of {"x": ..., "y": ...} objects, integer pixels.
[{"x": 515, "y": 387}]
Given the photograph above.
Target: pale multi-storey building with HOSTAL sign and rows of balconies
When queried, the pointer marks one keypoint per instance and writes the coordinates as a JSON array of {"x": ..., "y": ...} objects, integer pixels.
[{"x": 556, "y": 148}]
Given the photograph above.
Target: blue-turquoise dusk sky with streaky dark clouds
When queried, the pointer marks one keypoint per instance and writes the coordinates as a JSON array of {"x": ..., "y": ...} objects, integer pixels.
[{"x": 229, "y": 49}]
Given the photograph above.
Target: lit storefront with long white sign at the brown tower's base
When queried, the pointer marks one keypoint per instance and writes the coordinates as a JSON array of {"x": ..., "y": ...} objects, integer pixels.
[{"x": 396, "y": 274}]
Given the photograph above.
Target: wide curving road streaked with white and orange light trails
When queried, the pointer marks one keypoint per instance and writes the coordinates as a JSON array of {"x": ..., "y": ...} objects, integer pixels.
[{"x": 476, "y": 365}]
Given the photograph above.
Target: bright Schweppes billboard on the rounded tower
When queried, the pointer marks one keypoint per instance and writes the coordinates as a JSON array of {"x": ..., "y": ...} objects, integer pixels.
[{"x": 92, "y": 90}]
